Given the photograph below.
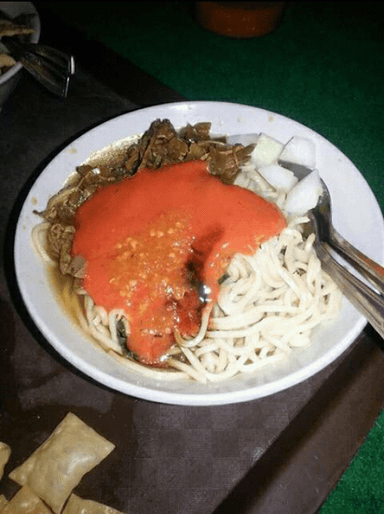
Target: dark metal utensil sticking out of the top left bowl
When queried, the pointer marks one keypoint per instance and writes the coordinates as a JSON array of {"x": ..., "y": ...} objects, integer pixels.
[{"x": 51, "y": 67}]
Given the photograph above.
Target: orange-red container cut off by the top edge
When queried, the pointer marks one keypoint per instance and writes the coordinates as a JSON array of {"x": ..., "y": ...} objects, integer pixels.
[{"x": 240, "y": 19}]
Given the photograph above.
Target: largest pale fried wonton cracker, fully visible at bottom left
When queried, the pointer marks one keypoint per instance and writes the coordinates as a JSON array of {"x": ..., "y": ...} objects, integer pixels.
[{"x": 59, "y": 464}]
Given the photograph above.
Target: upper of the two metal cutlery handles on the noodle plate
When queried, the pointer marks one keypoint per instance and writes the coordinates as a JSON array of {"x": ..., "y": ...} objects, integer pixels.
[{"x": 370, "y": 269}]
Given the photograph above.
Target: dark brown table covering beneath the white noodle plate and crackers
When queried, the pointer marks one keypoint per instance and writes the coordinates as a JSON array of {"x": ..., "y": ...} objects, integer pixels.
[{"x": 279, "y": 454}]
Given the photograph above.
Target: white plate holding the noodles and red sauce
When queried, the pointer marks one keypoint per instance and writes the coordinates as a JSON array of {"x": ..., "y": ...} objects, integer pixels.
[{"x": 356, "y": 215}]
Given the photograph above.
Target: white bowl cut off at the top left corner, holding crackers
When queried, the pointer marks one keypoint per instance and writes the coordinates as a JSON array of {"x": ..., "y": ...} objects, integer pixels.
[{"x": 10, "y": 78}]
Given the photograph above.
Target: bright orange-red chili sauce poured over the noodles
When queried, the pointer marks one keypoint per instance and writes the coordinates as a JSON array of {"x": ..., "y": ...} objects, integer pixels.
[{"x": 145, "y": 238}]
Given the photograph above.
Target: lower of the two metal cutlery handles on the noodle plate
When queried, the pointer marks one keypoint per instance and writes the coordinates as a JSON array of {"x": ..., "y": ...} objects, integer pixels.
[{"x": 366, "y": 300}]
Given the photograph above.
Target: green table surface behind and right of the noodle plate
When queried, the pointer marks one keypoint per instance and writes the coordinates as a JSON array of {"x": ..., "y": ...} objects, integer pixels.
[{"x": 323, "y": 67}]
